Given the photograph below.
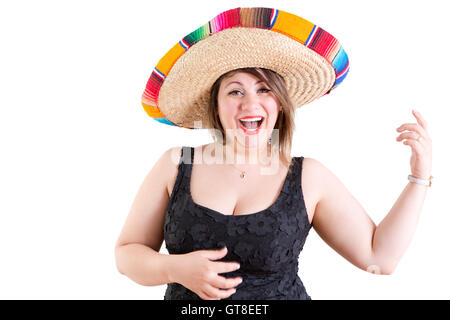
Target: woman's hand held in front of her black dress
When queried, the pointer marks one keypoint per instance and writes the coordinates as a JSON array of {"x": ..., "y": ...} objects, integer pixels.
[{"x": 198, "y": 272}]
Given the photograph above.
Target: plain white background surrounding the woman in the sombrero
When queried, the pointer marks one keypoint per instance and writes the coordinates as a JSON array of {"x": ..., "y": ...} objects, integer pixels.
[{"x": 76, "y": 143}]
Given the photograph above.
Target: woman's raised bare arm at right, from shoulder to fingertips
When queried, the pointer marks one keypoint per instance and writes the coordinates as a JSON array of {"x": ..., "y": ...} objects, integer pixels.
[{"x": 342, "y": 222}]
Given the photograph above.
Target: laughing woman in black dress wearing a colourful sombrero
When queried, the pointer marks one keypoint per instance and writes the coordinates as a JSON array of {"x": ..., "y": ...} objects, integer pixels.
[{"x": 235, "y": 214}]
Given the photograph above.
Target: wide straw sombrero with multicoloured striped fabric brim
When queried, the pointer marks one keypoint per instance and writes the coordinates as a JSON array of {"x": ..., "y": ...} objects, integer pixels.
[{"x": 309, "y": 59}]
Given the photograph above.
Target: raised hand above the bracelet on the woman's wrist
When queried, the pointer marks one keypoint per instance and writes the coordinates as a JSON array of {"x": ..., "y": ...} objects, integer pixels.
[{"x": 418, "y": 138}]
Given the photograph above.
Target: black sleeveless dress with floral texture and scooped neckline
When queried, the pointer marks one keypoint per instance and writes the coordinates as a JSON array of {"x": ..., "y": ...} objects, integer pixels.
[{"x": 266, "y": 244}]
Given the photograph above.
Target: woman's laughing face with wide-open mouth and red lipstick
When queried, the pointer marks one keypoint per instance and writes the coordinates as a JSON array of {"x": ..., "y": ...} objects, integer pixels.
[{"x": 247, "y": 108}]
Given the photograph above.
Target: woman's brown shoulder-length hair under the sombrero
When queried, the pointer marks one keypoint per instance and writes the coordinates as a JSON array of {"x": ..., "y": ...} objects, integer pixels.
[{"x": 285, "y": 121}]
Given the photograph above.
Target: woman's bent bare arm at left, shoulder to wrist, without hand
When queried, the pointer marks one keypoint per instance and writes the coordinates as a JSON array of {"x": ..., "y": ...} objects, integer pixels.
[{"x": 137, "y": 249}]
